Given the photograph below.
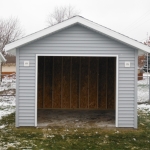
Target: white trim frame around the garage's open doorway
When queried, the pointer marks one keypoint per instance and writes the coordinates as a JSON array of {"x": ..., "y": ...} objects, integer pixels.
[{"x": 76, "y": 55}]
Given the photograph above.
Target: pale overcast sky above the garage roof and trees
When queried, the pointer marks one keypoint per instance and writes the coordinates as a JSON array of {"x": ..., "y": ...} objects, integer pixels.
[{"x": 129, "y": 17}]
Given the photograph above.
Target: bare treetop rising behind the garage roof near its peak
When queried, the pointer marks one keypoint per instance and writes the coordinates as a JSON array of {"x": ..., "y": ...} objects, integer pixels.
[{"x": 60, "y": 14}]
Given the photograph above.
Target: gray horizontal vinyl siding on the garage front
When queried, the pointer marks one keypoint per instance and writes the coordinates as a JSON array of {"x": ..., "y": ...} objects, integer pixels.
[{"x": 76, "y": 40}]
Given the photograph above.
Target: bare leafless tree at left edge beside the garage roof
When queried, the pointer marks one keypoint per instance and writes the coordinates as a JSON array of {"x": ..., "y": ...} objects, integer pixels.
[{"x": 9, "y": 31}]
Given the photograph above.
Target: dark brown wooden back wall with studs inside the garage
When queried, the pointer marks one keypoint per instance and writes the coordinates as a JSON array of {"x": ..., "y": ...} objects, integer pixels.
[{"x": 76, "y": 82}]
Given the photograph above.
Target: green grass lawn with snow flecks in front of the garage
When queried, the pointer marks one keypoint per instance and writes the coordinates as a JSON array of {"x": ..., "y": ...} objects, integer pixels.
[{"x": 12, "y": 138}]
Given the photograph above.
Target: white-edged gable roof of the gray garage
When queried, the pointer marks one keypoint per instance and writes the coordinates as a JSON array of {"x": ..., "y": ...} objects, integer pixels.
[{"x": 77, "y": 19}]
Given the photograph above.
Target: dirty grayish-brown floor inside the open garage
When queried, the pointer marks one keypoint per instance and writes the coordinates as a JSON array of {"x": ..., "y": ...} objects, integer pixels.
[{"x": 76, "y": 118}]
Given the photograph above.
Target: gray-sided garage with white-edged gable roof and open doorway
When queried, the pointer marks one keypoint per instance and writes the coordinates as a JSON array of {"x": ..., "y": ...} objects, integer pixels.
[{"x": 76, "y": 64}]
